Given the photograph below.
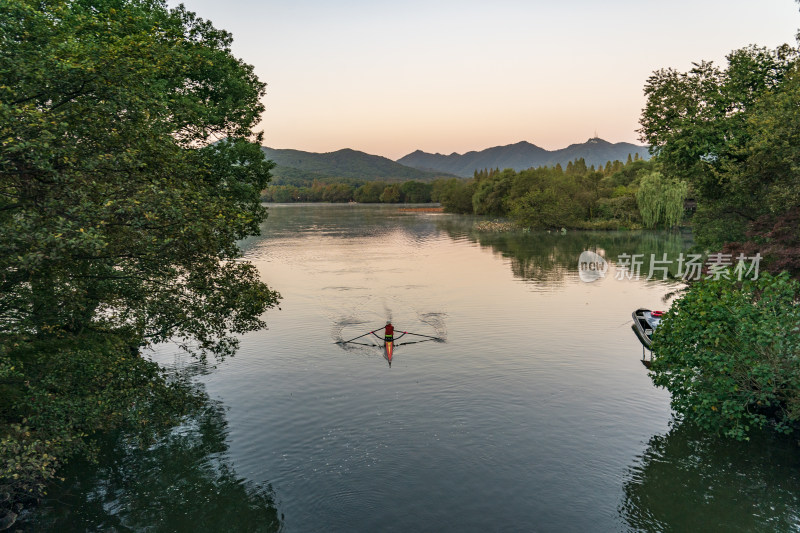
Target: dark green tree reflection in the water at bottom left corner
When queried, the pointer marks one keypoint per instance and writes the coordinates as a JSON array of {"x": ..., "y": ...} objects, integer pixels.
[{"x": 183, "y": 483}]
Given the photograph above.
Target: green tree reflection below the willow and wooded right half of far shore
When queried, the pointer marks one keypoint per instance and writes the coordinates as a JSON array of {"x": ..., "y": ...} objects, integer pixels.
[{"x": 550, "y": 257}]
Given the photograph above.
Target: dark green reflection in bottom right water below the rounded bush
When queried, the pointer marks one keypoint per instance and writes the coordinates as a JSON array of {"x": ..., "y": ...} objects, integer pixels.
[{"x": 688, "y": 481}]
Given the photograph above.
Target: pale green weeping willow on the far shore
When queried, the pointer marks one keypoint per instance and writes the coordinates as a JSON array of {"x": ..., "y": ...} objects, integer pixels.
[{"x": 660, "y": 200}]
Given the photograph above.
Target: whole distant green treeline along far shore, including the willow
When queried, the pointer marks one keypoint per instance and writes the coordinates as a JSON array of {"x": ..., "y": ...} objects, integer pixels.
[{"x": 629, "y": 194}]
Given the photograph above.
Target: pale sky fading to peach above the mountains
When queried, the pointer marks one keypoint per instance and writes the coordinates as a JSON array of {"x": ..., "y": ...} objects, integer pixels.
[{"x": 443, "y": 76}]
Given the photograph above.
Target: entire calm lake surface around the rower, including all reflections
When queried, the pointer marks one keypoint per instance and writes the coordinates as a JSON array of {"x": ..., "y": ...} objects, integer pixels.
[{"x": 536, "y": 414}]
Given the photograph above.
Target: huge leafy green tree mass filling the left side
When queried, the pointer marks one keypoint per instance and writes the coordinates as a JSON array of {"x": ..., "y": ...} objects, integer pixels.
[{"x": 129, "y": 172}]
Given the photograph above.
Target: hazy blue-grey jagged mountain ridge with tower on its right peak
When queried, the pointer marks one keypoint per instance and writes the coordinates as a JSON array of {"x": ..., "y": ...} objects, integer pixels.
[{"x": 521, "y": 156}]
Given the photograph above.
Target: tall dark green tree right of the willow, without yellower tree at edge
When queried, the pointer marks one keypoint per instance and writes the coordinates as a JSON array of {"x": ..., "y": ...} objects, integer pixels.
[{"x": 701, "y": 126}]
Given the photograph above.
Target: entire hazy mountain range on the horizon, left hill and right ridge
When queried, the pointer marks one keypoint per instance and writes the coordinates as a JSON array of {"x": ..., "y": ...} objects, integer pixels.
[{"x": 297, "y": 167}]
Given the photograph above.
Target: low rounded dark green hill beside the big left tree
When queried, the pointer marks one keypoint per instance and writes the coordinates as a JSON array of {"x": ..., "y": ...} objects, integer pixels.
[{"x": 294, "y": 165}]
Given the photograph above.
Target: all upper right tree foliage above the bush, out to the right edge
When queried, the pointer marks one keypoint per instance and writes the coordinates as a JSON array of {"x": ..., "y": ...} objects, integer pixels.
[{"x": 727, "y": 133}]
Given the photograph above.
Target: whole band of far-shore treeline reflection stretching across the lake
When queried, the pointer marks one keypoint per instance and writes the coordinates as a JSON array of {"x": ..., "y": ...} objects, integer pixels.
[{"x": 539, "y": 256}]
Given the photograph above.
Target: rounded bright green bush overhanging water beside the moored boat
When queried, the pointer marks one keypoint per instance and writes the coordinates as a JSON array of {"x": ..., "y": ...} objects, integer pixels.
[{"x": 729, "y": 354}]
